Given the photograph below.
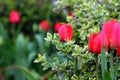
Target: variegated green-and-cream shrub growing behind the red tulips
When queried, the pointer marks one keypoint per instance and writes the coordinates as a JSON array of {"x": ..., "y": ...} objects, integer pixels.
[{"x": 88, "y": 18}]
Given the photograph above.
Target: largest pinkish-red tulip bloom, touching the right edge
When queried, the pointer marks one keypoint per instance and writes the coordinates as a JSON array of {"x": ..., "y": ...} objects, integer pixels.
[{"x": 110, "y": 34}]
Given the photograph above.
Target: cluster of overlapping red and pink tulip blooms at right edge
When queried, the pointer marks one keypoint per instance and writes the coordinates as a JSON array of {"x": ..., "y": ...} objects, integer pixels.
[{"x": 109, "y": 37}]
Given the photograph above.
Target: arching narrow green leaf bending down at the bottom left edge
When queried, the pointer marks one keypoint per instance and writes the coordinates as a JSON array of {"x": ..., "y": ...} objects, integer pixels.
[{"x": 27, "y": 73}]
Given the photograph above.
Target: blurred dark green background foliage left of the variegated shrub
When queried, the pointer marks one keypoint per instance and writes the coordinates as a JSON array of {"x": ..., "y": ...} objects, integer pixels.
[{"x": 22, "y": 40}]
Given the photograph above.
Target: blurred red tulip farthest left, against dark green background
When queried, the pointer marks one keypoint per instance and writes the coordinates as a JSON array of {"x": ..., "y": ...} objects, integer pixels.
[{"x": 14, "y": 17}]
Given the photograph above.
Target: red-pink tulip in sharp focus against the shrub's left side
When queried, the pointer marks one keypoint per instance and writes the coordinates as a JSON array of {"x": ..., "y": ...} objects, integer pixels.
[{"x": 65, "y": 32}]
